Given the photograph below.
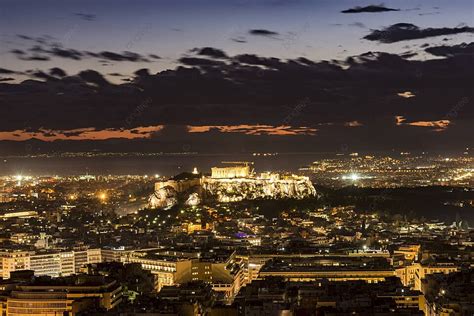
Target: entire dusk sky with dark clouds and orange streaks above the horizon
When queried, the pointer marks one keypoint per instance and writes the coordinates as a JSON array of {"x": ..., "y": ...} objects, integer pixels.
[{"x": 236, "y": 76}]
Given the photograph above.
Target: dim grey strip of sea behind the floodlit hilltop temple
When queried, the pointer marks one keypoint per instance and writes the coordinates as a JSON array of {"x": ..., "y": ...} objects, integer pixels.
[{"x": 165, "y": 164}]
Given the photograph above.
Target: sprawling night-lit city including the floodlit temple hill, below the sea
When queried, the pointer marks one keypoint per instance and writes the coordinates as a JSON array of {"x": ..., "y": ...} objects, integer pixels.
[{"x": 233, "y": 241}]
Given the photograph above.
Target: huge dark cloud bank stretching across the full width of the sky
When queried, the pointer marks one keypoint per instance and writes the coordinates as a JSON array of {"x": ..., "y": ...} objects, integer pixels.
[{"x": 354, "y": 99}]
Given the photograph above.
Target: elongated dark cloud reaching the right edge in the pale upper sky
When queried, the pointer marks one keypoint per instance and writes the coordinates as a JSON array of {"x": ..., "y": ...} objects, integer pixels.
[{"x": 406, "y": 31}]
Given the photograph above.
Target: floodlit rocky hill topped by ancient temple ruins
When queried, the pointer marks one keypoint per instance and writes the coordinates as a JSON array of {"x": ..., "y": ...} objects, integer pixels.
[{"x": 232, "y": 183}]
